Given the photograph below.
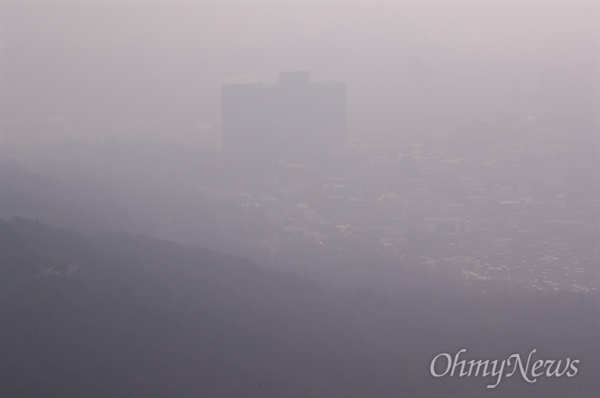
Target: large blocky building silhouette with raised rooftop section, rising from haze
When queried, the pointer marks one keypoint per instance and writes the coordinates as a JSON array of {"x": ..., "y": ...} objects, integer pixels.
[{"x": 293, "y": 113}]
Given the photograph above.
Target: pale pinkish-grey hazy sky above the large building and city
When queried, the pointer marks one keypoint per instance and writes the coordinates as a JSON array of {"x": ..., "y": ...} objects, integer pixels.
[{"x": 378, "y": 48}]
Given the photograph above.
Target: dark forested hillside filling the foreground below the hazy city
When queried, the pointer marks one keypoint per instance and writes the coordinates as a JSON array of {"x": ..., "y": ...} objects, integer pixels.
[{"x": 118, "y": 315}]
